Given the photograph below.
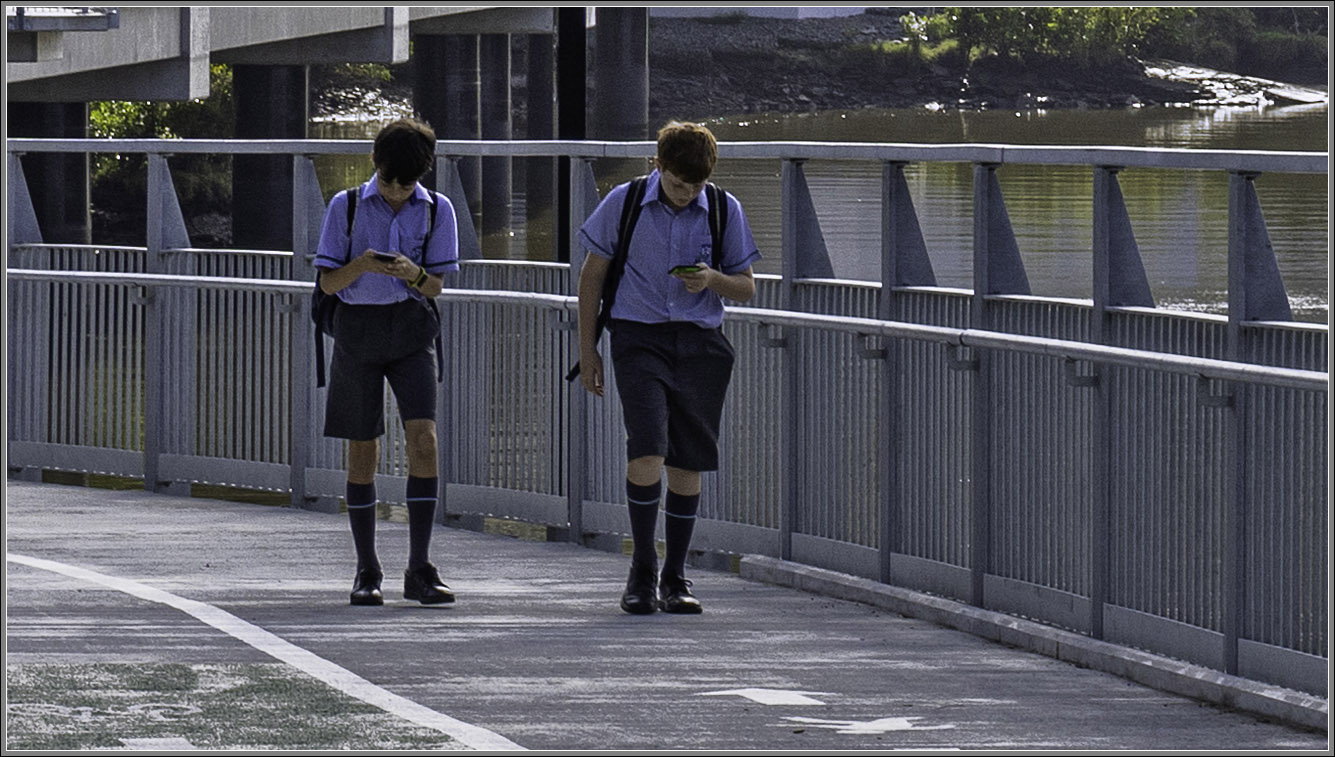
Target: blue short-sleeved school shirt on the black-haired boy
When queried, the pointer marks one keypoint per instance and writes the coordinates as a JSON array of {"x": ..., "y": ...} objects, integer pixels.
[{"x": 380, "y": 228}]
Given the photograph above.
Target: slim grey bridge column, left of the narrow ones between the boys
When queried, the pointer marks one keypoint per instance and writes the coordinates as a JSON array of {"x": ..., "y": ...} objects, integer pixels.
[{"x": 496, "y": 125}]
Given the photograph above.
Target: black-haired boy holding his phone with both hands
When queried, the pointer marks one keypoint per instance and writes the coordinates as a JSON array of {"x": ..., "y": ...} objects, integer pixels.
[{"x": 385, "y": 329}]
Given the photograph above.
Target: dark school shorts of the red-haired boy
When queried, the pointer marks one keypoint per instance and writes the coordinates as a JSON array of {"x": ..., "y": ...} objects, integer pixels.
[{"x": 672, "y": 380}]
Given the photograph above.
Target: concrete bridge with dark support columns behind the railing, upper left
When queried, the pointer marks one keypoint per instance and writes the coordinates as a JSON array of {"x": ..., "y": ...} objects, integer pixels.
[{"x": 59, "y": 61}]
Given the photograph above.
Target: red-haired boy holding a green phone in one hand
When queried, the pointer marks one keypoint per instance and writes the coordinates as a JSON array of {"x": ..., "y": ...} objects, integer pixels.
[{"x": 668, "y": 349}]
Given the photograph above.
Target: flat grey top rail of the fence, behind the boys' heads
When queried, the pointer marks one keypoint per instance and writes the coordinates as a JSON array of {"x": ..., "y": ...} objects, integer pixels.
[{"x": 1242, "y": 161}]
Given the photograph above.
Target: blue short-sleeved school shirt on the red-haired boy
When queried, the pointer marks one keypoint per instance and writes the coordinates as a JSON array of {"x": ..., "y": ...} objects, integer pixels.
[{"x": 665, "y": 238}]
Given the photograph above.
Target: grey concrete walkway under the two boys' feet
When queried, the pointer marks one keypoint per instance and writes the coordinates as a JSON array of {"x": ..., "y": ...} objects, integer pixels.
[{"x": 535, "y": 655}]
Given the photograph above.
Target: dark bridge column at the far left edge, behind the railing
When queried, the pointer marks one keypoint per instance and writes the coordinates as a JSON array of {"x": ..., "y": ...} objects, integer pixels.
[{"x": 57, "y": 182}]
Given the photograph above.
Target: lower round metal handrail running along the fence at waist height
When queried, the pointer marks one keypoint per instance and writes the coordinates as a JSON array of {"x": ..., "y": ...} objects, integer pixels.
[{"x": 975, "y": 338}]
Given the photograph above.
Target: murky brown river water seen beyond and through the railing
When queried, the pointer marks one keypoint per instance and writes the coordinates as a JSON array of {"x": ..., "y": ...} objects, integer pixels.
[{"x": 1179, "y": 217}]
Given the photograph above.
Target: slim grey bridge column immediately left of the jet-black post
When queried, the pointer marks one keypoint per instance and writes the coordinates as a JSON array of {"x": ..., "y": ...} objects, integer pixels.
[{"x": 541, "y": 173}]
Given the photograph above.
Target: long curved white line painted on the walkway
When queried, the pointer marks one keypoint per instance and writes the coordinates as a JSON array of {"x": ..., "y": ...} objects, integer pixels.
[{"x": 305, "y": 662}]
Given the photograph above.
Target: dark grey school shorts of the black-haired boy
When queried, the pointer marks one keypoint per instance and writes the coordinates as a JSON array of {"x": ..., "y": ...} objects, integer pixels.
[{"x": 373, "y": 344}]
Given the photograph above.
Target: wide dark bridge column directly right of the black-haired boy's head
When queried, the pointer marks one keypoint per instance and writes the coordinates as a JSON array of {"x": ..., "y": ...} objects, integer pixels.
[{"x": 447, "y": 94}]
